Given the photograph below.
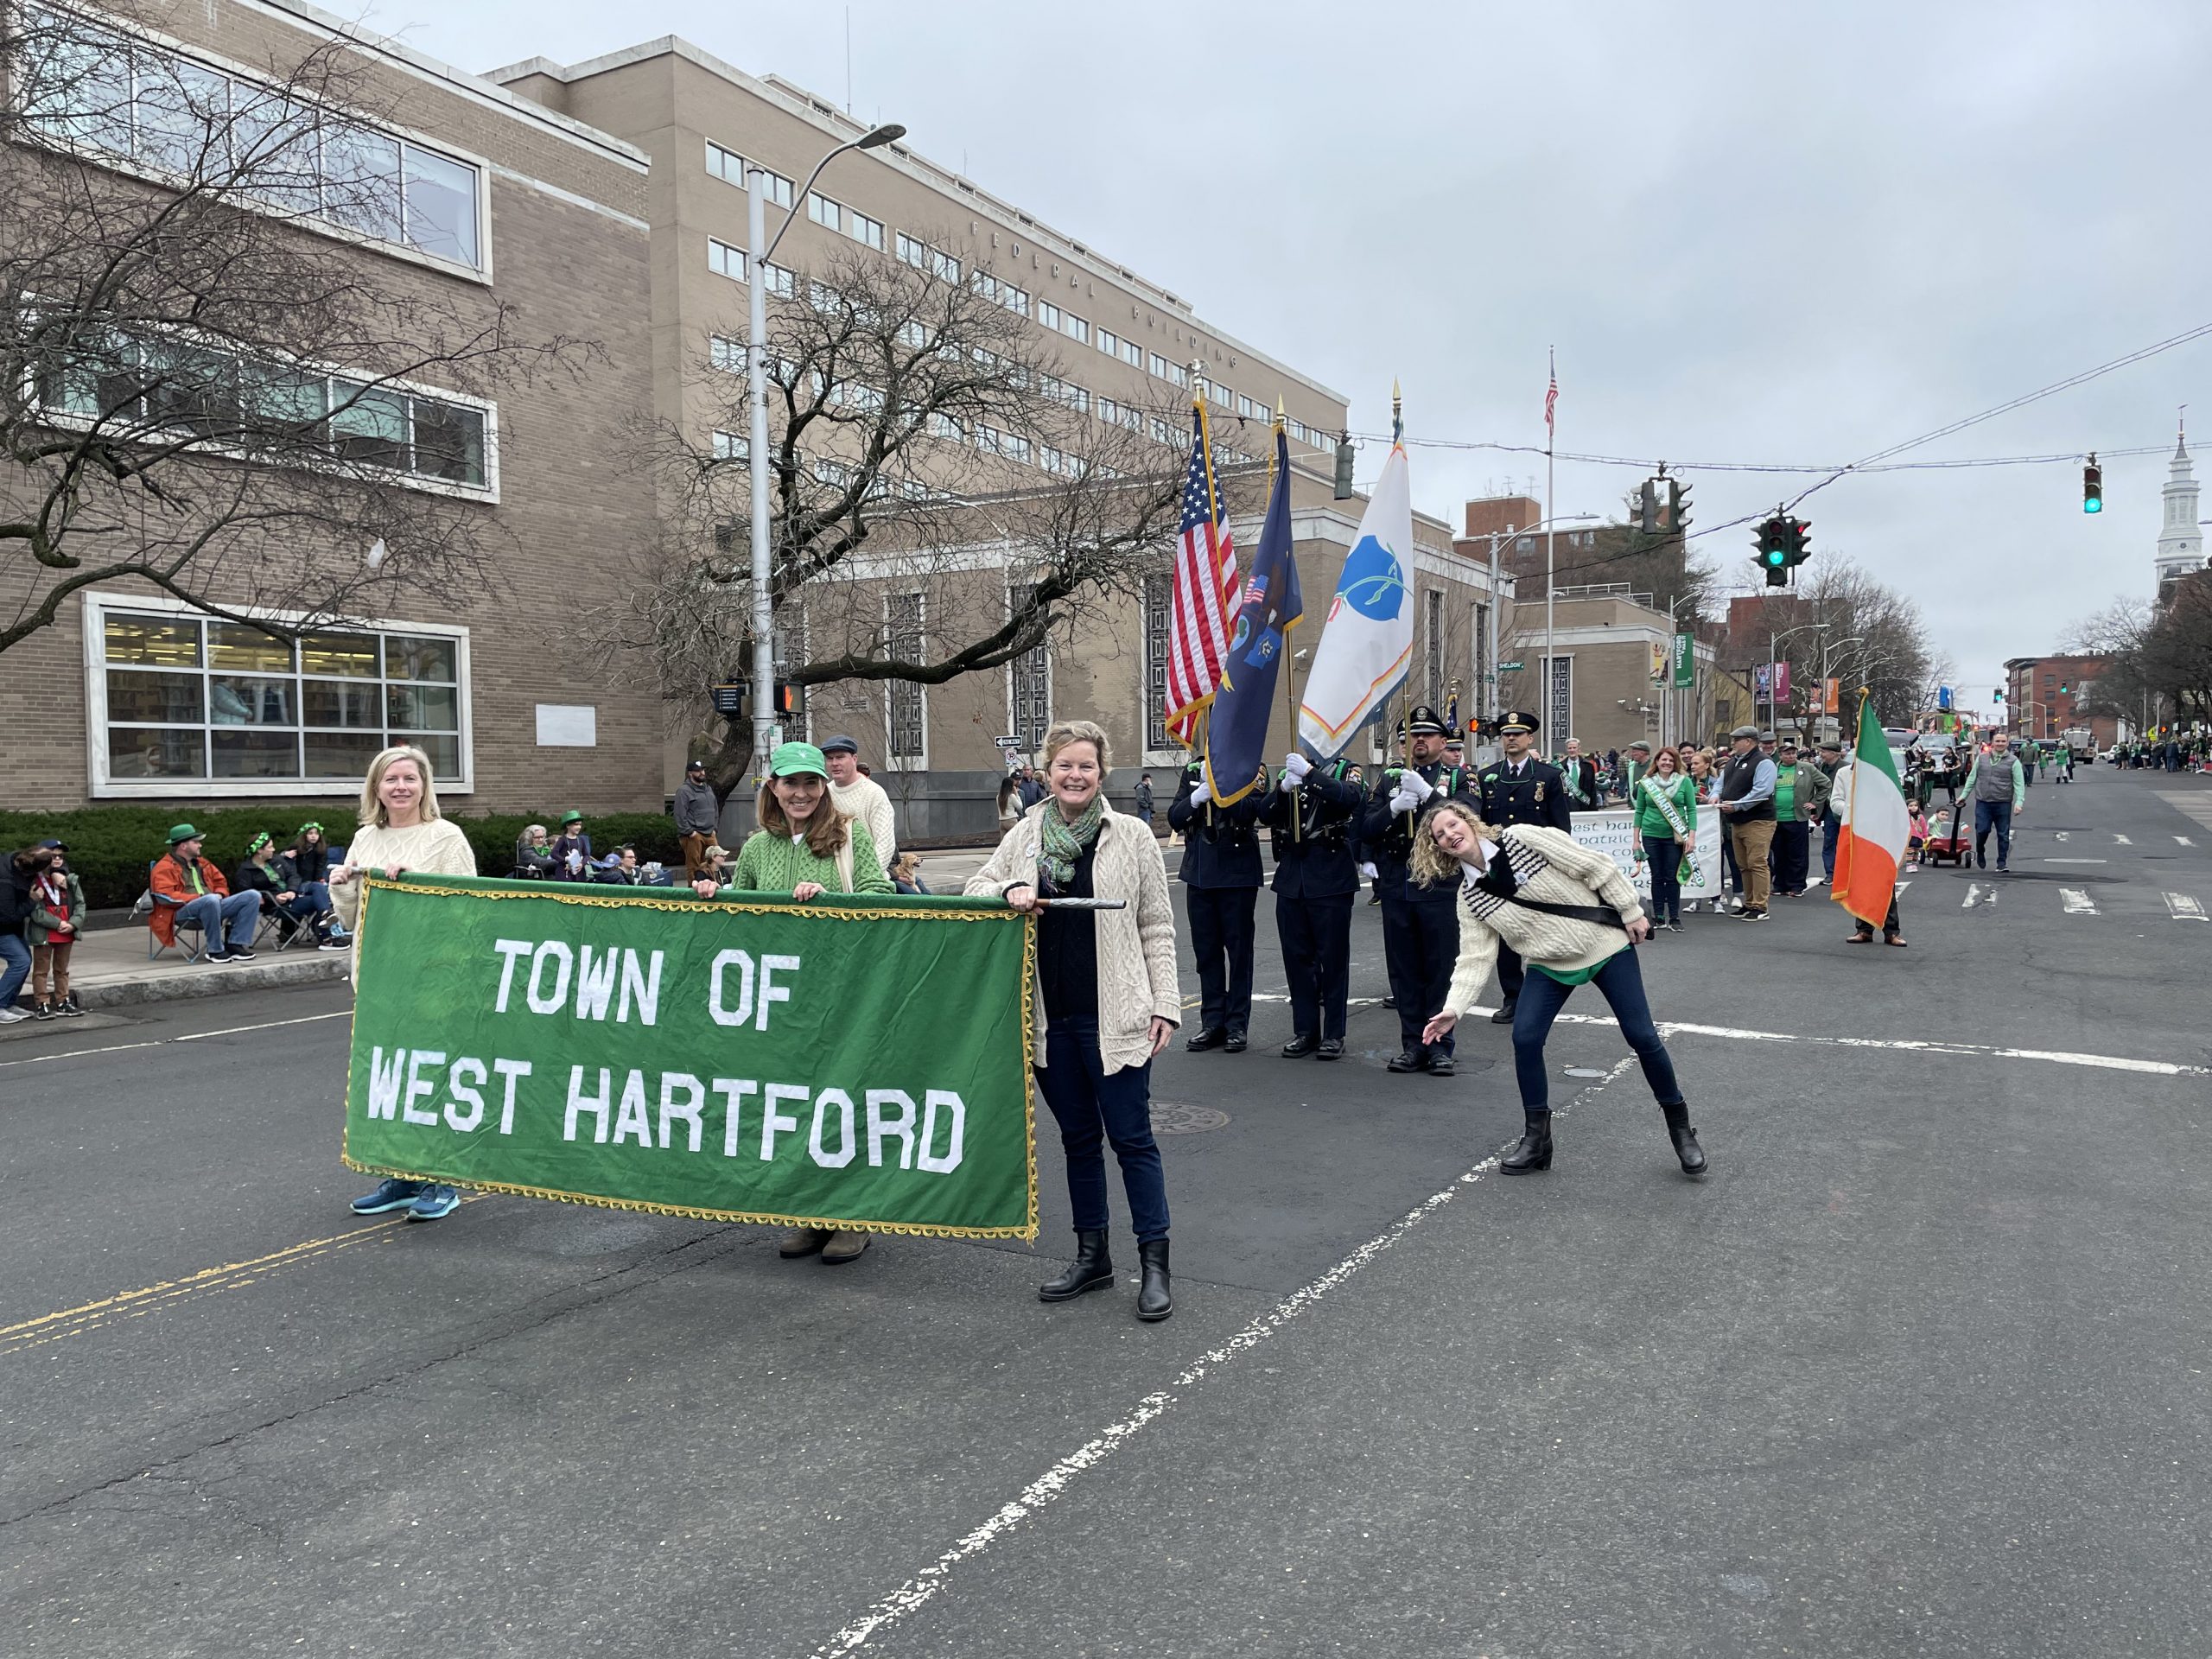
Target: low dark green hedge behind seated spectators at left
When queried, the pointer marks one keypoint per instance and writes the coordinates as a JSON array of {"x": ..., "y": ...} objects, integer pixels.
[{"x": 114, "y": 846}]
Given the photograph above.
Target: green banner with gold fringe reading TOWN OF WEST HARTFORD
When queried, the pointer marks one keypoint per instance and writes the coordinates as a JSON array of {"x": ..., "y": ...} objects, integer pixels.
[{"x": 837, "y": 1065}]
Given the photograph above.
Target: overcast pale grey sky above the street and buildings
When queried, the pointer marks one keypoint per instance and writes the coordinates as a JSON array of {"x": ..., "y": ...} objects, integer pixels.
[{"x": 1757, "y": 233}]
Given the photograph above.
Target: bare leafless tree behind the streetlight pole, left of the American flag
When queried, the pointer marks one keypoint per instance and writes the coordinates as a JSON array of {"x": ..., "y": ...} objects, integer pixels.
[{"x": 924, "y": 446}]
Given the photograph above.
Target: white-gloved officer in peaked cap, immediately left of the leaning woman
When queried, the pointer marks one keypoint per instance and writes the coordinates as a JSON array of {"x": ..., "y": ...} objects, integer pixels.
[{"x": 1421, "y": 926}]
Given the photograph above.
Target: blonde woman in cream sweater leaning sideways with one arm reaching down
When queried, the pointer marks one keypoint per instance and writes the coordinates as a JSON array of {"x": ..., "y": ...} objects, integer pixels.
[{"x": 1574, "y": 919}]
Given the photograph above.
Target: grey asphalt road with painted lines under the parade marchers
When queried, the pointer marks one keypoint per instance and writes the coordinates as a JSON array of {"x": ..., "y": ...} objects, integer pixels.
[{"x": 1919, "y": 1370}]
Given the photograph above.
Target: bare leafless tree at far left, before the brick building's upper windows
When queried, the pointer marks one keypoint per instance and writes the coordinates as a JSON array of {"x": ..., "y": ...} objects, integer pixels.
[{"x": 200, "y": 384}]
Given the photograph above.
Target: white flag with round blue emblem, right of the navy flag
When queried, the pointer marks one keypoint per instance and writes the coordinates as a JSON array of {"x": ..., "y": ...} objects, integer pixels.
[{"x": 1368, "y": 638}]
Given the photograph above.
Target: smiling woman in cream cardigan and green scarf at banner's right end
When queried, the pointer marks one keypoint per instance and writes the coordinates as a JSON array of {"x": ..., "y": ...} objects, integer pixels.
[{"x": 1107, "y": 999}]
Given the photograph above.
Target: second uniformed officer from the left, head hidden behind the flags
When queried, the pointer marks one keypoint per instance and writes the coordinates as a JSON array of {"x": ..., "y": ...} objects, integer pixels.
[{"x": 1311, "y": 815}]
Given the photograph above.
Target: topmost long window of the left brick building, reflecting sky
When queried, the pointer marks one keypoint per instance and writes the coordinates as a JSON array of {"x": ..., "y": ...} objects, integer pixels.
[{"x": 169, "y": 114}]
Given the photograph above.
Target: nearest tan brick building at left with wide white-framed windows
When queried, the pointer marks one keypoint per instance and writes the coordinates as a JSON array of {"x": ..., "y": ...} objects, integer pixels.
[{"x": 136, "y": 698}]
